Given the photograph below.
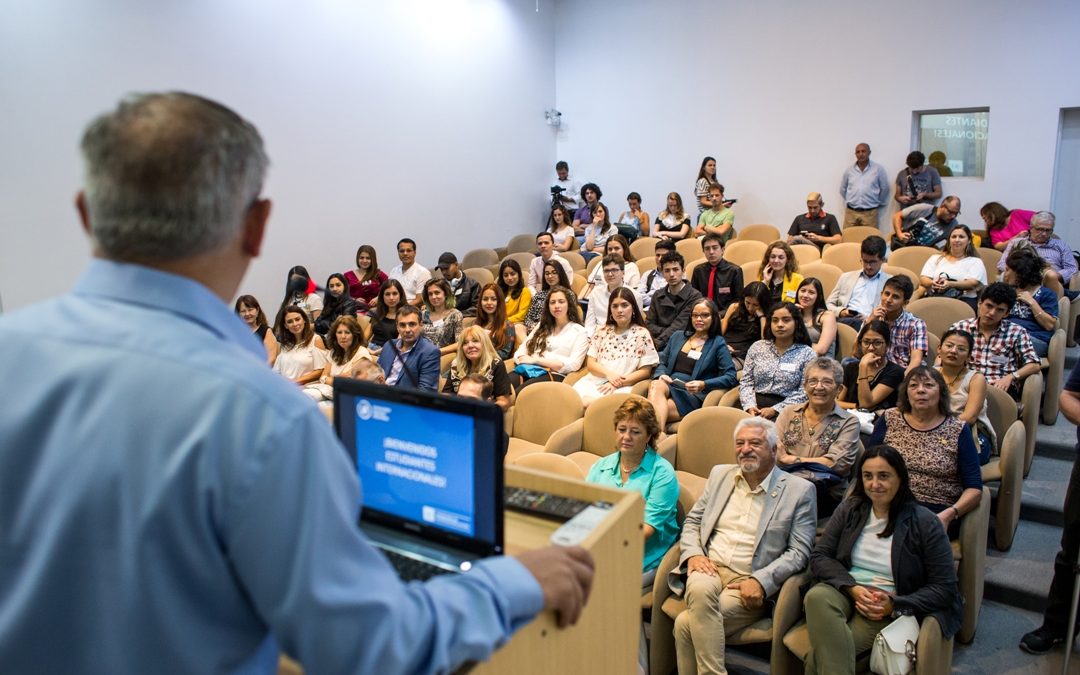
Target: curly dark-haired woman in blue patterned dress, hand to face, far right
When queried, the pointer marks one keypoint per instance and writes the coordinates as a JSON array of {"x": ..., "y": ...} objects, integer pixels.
[{"x": 1036, "y": 308}]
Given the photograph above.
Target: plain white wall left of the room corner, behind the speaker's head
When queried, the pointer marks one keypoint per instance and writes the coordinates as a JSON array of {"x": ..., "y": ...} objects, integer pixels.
[{"x": 420, "y": 117}]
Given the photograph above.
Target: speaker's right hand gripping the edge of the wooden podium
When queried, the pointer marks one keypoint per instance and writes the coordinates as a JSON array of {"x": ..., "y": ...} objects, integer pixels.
[{"x": 565, "y": 575}]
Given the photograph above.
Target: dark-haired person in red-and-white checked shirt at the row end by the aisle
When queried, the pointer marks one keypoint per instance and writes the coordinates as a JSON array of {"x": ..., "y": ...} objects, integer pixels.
[{"x": 1004, "y": 352}]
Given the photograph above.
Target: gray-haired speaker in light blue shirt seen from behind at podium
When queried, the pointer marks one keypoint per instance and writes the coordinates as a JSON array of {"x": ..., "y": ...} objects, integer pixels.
[{"x": 167, "y": 503}]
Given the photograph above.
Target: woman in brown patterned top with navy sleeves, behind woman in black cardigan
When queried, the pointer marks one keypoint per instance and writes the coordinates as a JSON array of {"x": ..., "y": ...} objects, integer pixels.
[{"x": 938, "y": 448}]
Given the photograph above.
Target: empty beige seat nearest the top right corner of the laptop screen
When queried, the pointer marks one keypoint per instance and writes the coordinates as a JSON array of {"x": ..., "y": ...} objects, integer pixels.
[{"x": 539, "y": 411}]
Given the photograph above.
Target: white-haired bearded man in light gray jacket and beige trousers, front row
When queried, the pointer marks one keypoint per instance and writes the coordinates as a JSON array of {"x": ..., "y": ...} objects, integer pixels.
[{"x": 752, "y": 530}]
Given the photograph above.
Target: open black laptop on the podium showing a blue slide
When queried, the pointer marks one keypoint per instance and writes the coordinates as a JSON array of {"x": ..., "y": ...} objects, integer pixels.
[{"x": 430, "y": 469}]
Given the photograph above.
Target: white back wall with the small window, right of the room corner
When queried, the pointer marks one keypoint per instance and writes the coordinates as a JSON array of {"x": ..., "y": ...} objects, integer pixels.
[{"x": 781, "y": 91}]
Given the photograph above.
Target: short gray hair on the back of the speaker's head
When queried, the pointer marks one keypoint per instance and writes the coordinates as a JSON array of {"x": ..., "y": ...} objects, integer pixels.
[{"x": 169, "y": 177}]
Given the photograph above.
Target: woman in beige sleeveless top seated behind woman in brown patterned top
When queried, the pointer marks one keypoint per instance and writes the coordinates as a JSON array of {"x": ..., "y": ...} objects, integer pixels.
[{"x": 967, "y": 389}]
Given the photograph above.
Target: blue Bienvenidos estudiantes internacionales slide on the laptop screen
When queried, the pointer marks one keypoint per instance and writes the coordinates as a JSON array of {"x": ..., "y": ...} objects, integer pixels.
[{"x": 417, "y": 464}]
